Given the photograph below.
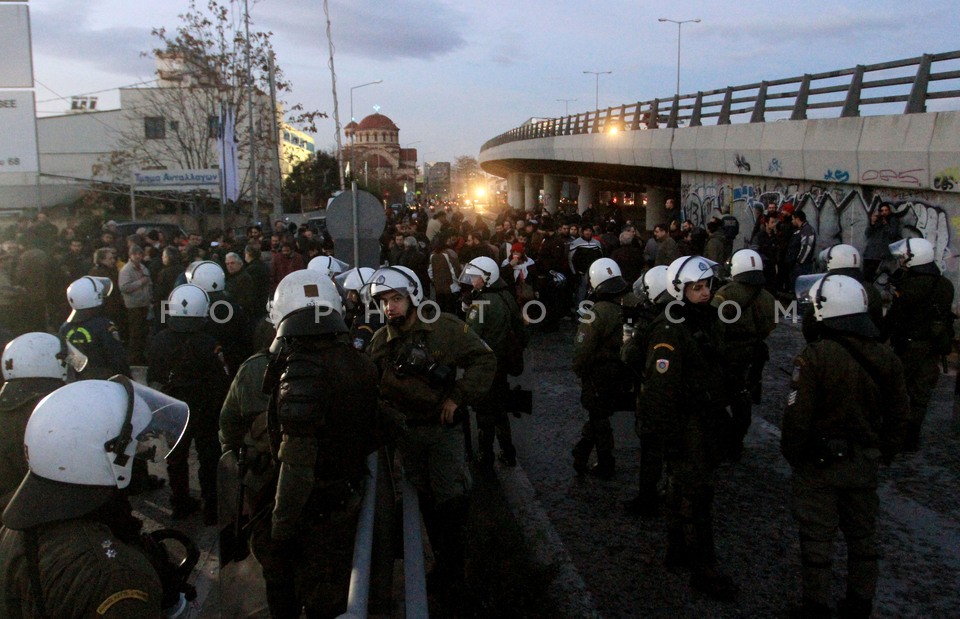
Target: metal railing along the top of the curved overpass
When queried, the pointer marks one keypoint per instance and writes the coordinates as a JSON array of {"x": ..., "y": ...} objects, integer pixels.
[{"x": 849, "y": 90}]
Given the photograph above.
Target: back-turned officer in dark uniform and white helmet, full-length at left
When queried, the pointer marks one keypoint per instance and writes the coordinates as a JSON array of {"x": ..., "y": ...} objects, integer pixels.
[{"x": 187, "y": 363}]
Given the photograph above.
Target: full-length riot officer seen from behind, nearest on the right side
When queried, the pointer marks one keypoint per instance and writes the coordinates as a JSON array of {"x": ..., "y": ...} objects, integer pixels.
[{"x": 834, "y": 445}]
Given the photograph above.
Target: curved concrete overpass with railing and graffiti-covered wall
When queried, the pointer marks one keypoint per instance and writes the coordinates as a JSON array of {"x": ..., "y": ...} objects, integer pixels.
[{"x": 836, "y": 145}]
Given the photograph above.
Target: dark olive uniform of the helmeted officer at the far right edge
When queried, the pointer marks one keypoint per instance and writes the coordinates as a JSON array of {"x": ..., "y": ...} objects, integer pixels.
[{"x": 921, "y": 299}]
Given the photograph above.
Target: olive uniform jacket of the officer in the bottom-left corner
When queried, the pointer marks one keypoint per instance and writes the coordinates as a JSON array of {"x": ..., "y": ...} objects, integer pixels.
[{"x": 85, "y": 571}]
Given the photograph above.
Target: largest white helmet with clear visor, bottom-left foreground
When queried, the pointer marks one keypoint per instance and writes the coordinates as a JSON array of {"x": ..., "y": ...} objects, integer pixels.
[{"x": 80, "y": 444}]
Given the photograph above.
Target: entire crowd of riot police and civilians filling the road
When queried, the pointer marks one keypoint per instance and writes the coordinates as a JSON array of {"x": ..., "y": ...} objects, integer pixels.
[{"x": 300, "y": 366}]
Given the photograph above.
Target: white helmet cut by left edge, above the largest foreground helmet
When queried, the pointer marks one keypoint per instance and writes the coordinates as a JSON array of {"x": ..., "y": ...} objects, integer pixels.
[{"x": 40, "y": 355}]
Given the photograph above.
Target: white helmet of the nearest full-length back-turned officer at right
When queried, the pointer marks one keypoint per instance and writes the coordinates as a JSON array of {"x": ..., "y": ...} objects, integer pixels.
[{"x": 840, "y": 301}]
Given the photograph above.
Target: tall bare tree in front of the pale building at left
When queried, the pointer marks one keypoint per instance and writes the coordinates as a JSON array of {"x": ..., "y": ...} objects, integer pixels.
[{"x": 201, "y": 69}]
